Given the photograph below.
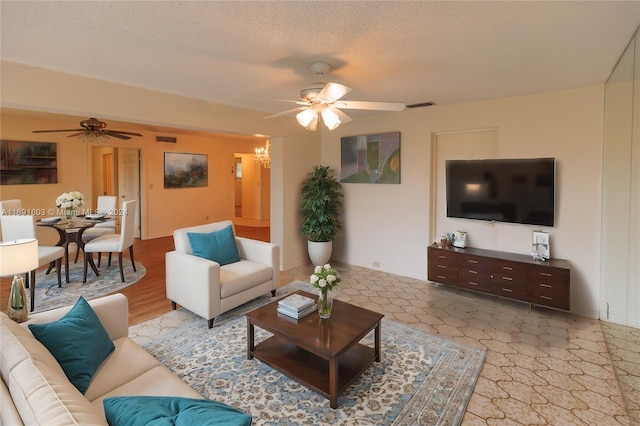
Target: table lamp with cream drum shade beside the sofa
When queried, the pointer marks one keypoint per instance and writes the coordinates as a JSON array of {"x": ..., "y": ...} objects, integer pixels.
[{"x": 16, "y": 258}]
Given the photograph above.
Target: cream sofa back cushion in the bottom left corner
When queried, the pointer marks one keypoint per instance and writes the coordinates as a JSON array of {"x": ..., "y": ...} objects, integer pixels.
[{"x": 40, "y": 390}]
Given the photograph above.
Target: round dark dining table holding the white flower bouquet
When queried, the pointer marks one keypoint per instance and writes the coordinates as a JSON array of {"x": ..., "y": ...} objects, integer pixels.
[{"x": 70, "y": 231}]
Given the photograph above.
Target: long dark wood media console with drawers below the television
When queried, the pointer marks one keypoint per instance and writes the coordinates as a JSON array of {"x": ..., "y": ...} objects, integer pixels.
[{"x": 511, "y": 275}]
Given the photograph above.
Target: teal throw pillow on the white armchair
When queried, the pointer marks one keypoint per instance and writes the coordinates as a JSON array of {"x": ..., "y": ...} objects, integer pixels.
[{"x": 219, "y": 246}]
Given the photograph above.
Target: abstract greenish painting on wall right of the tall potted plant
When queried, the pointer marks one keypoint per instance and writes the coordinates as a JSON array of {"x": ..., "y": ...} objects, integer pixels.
[{"x": 371, "y": 158}]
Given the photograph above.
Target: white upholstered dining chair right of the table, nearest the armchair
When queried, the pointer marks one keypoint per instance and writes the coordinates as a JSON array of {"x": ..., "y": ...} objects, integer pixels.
[{"x": 114, "y": 243}]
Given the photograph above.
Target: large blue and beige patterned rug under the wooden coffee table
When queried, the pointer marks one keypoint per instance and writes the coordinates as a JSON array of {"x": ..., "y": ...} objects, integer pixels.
[{"x": 422, "y": 379}]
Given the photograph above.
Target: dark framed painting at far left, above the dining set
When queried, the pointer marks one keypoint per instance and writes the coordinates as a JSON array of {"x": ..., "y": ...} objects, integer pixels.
[{"x": 23, "y": 163}]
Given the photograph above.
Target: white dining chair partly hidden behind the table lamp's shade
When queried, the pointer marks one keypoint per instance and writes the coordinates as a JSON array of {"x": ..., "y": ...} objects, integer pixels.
[{"x": 24, "y": 226}]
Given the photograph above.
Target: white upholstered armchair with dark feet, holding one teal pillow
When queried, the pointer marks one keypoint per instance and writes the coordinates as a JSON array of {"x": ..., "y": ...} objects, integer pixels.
[{"x": 208, "y": 289}]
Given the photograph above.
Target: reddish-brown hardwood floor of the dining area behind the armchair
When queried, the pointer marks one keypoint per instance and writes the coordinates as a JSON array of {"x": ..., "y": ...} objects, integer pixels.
[{"x": 147, "y": 297}]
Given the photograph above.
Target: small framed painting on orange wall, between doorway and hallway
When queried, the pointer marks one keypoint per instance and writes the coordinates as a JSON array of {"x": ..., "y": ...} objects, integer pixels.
[{"x": 183, "y": 170}]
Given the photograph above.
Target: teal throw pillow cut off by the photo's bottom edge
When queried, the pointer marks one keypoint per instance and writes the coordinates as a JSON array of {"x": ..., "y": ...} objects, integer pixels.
[{"x": 169, "y": 410}]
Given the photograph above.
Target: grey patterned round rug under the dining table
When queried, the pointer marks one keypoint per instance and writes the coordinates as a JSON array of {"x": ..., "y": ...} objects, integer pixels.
[{"x": 49, "y": 295}]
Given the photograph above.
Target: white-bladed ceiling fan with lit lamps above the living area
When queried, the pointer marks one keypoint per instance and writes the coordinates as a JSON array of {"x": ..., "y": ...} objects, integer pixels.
[{"x": 324, "y": 100}]
